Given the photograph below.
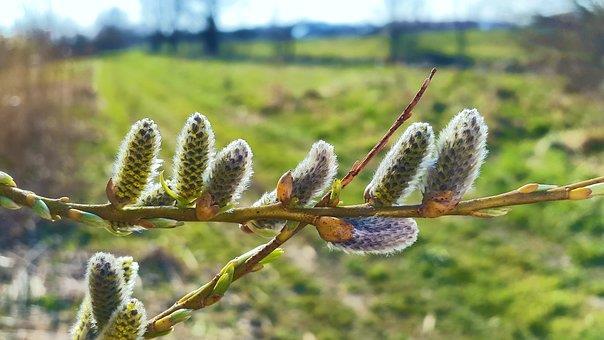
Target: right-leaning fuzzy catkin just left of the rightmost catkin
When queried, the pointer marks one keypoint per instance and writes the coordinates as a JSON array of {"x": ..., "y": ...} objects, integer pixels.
[{"x": 401, "y": 170}]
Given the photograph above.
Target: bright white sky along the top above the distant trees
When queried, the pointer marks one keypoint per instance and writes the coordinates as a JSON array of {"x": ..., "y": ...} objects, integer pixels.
[{"x": 249, "y": 13}]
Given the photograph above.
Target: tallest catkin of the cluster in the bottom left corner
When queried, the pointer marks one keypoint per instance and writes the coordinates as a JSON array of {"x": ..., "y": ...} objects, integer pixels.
[{"x": 106, "y": 286}]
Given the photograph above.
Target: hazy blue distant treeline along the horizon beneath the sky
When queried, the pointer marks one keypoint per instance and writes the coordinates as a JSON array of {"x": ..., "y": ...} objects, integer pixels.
[{"x": 111, "y": 38}]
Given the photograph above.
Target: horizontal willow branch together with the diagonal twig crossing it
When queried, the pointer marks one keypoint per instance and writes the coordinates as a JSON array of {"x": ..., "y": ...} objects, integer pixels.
[{"x": 204, "y": 296}]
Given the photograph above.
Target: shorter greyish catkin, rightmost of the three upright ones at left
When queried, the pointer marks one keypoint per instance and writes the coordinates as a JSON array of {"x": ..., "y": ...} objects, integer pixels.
[{"x": 230, "y": 174}]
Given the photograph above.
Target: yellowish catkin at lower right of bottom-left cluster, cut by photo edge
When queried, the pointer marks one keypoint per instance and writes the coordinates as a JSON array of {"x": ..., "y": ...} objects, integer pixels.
[{"x": 127, "y": 322}]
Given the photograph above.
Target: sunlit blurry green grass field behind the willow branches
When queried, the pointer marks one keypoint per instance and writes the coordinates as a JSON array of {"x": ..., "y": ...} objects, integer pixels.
[{"x": 535, "y": 273}]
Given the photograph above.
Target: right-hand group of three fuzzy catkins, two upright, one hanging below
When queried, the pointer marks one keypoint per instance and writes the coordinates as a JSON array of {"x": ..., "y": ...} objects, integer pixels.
[{"x": 447, "y": 171}]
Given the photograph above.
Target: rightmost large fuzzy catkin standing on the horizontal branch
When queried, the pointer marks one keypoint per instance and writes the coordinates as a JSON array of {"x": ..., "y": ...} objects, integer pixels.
[{"x": 461, "y": 149}]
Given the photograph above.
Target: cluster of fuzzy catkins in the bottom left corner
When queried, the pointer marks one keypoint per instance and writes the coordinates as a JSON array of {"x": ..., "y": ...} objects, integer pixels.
[{"x": 108, "y": 310}]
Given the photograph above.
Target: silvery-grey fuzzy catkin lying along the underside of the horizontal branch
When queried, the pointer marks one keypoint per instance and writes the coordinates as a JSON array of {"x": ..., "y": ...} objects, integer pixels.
[{"x": 378, "y": 235}]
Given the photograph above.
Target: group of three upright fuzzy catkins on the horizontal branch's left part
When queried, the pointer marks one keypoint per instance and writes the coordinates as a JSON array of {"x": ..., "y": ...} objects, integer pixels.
[{"x": 197, "y": 169}]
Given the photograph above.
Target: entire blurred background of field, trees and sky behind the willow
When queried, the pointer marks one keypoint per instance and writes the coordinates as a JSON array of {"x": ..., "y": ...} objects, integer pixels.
[{"x": 75, "y": 74}]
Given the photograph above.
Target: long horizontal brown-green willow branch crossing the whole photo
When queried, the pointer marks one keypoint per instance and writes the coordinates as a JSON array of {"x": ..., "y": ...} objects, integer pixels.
[{"x": 472, "y": 207}]
